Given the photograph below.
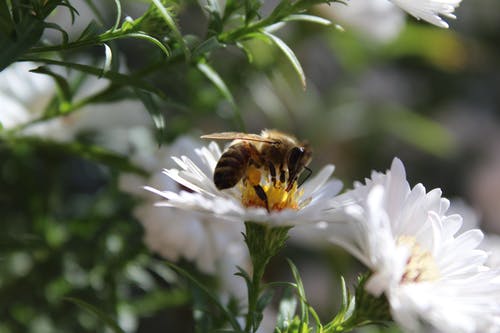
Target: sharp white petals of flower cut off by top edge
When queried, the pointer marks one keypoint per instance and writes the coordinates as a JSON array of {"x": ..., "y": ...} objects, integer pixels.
[{"x": 429, "y": 10}]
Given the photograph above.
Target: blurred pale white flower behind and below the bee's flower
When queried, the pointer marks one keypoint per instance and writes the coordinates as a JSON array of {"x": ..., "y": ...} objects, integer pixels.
[{"x": 216, "y": 246}]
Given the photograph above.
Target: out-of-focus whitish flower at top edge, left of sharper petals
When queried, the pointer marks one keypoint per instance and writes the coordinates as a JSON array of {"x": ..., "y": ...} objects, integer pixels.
[{"x": 379, "y": 20}]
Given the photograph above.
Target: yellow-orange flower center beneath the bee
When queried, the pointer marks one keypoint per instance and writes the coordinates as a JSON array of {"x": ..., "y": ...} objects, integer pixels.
[{"x": 273, "y": 191}]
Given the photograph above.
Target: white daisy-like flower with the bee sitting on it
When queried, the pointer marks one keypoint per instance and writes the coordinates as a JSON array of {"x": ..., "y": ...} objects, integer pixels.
[{"x": 297, "y": 206}]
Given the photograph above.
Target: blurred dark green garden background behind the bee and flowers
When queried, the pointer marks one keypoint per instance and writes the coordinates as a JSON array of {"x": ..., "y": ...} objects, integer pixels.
[{"x": 379, "y": 85}]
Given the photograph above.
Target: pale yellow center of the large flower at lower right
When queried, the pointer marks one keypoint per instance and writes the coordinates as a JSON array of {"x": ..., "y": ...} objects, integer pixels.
[{"x": 420, "y": 265}]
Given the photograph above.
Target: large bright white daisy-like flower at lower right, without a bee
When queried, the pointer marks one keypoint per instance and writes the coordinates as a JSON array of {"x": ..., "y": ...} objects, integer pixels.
[{"x": 427, "y": 271}]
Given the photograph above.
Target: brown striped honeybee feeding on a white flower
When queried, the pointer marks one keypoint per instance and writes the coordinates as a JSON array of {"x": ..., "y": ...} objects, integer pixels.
[{"x": 282, "y": 155}]
